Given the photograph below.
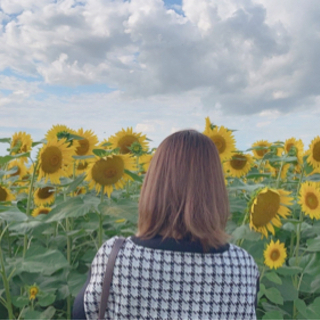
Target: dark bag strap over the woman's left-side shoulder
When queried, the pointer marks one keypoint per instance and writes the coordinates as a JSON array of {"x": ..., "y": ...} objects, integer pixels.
[{"x": 108, "y": 276}]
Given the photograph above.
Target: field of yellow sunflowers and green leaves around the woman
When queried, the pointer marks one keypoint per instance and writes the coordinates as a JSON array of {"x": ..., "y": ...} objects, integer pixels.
[{"x": 58, "y": 207}]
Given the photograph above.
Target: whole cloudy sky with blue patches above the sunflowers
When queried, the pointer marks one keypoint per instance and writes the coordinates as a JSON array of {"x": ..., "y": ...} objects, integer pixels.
[{"x": 160, "y": 66}]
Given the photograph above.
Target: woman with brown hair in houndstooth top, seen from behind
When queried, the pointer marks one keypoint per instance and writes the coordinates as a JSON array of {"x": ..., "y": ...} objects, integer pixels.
[{"x": 179, "y": 265}]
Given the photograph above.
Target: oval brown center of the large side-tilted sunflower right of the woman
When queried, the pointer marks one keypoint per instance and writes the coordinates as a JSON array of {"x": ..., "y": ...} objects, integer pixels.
[{"x": 266, "y": 208}]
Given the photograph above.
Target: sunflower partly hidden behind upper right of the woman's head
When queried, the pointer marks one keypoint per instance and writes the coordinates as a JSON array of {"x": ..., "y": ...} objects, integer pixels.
[{"x": 222, "y": 138}]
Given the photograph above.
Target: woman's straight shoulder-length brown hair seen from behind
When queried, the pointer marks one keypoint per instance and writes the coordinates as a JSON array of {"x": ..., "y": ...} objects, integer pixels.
[{"x": 184, "y": 194}]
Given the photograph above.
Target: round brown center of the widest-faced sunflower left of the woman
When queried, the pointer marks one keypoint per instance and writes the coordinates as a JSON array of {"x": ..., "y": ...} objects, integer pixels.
[{"x": 108, "y": 172}]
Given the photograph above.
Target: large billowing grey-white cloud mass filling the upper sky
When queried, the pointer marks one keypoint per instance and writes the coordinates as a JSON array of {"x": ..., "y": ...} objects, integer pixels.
[{"x": 249, "y": 55}]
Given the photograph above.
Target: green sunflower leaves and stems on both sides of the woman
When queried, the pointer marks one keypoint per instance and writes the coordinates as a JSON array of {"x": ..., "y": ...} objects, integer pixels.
[{"x": 54, "y": 251}]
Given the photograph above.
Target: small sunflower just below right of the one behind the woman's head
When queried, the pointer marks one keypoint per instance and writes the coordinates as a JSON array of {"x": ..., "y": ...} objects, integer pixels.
[{"x": 239, "y": 165}]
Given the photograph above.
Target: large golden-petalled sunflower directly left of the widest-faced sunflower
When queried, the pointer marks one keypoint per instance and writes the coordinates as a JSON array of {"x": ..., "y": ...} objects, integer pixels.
[{"x": 55, "y": 159}]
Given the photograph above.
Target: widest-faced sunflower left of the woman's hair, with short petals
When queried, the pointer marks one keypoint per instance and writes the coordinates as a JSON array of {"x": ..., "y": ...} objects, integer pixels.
[{"x": 109, "y": 172}]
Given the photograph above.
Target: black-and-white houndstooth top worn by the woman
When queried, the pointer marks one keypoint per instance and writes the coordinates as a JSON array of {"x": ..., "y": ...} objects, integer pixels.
[{"x": 167, "y": 284}]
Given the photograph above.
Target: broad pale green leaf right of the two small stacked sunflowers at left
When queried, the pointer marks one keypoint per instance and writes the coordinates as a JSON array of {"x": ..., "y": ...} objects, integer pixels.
[{"x": 73, "y": 207}]
